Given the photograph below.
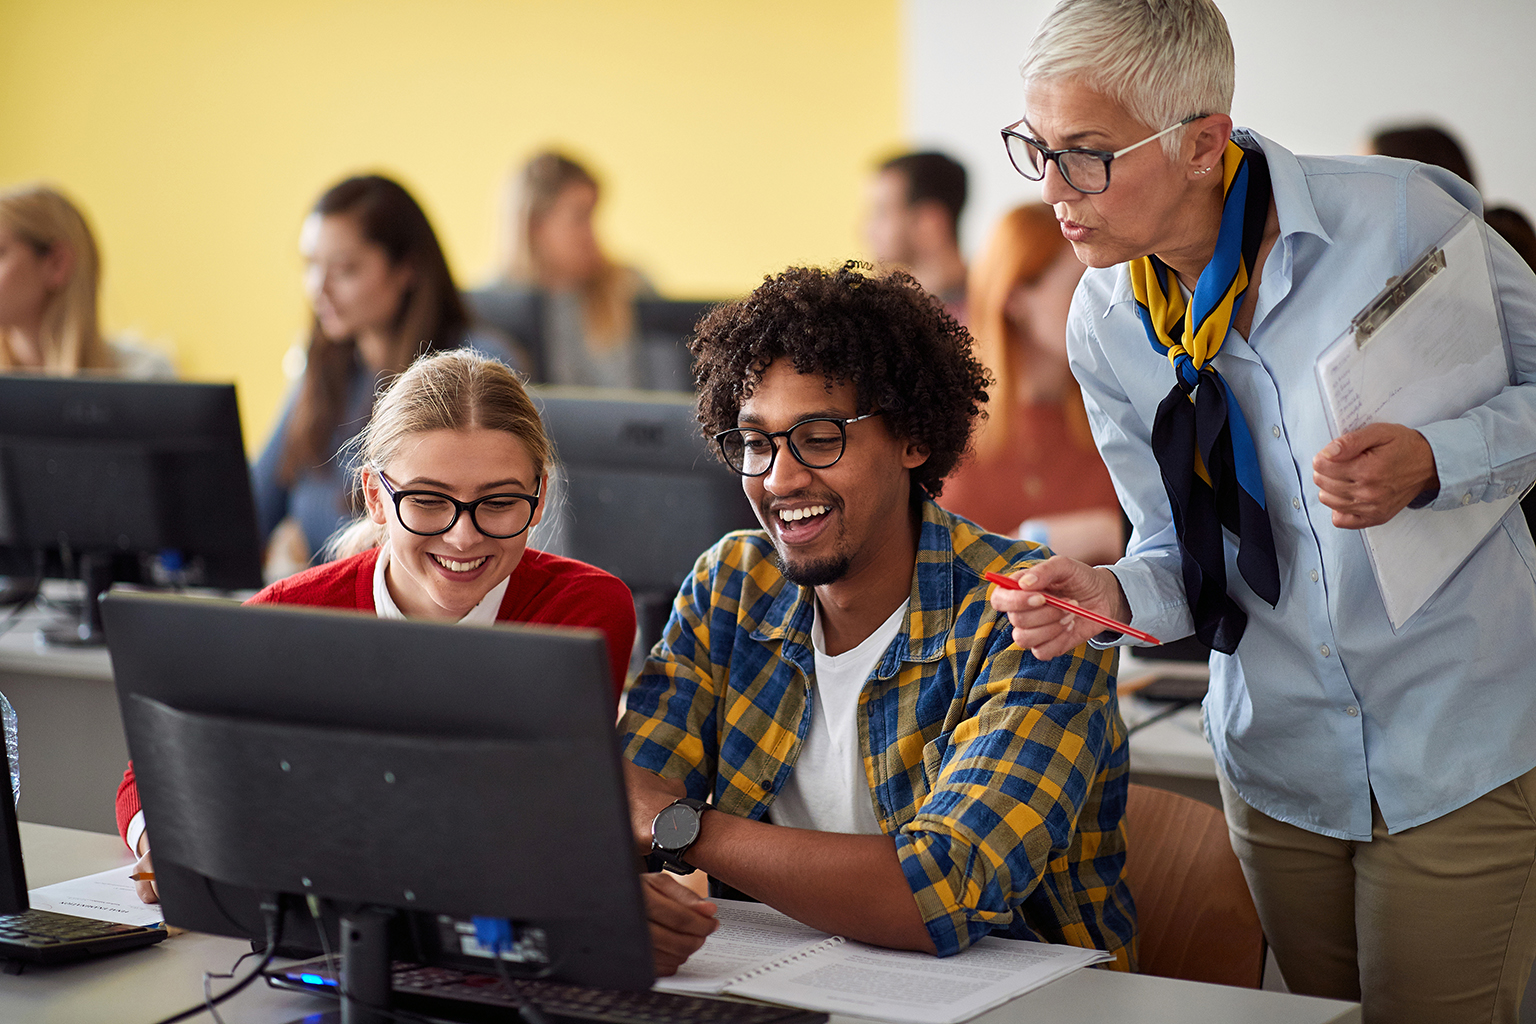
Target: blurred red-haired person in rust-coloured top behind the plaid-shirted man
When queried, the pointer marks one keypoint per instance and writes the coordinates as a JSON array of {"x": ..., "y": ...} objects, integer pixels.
[{"x": 1036, "y": 472}]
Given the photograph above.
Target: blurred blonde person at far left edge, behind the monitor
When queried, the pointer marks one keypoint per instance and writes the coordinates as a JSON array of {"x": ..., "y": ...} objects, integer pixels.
[{"x": 50, "y": 279}]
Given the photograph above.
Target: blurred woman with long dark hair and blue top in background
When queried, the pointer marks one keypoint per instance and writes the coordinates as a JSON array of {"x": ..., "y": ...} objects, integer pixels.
[{"x": 382, "y": 294}]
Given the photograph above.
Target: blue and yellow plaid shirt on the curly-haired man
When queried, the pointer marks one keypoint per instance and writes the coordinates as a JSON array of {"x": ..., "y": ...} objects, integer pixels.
[{"x": 1002, "y": 779}]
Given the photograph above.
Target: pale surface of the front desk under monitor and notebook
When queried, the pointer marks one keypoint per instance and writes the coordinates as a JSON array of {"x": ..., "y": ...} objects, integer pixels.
[{"x": 148, "y": 985}]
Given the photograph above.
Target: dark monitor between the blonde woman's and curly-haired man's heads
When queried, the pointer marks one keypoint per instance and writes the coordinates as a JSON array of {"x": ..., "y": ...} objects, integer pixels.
[{"x": 643, "y": 495}]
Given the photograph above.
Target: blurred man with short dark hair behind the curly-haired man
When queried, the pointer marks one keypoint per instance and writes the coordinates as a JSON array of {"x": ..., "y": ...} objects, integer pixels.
[{"x": 915, "y": 223}]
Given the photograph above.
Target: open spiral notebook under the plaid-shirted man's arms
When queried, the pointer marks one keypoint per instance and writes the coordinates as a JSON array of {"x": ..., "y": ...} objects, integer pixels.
[{"x": 766, "y": 956}]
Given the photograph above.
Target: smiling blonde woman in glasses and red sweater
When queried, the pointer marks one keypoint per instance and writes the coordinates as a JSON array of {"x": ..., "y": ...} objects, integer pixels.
[{"x": 454, "y": 467}]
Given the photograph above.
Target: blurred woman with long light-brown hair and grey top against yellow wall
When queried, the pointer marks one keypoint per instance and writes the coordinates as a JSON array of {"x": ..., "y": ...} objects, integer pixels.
[{"x": 557, "y": 292}]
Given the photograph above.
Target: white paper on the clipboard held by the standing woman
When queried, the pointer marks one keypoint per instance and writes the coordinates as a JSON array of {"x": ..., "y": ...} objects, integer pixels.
[{"x": 1429, "y": 348}]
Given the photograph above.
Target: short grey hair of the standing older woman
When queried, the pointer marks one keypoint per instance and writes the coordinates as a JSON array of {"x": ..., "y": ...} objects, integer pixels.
[{"x": 1164, "y": 61}]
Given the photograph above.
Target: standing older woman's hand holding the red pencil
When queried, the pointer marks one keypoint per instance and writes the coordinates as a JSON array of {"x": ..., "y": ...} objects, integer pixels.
[{"x": 1050, "y": 632}]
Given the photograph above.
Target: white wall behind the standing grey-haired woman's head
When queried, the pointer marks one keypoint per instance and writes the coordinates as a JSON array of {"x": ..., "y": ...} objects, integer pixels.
[{"x": 1316, "y": 76}]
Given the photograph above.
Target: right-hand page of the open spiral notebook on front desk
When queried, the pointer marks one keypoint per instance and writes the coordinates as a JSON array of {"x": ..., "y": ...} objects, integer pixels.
[{"x": 916, "y": 988}]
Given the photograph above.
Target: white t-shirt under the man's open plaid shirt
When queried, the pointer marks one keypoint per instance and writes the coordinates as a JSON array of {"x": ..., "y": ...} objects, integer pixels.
[{"x": 829, "y": 788}]
